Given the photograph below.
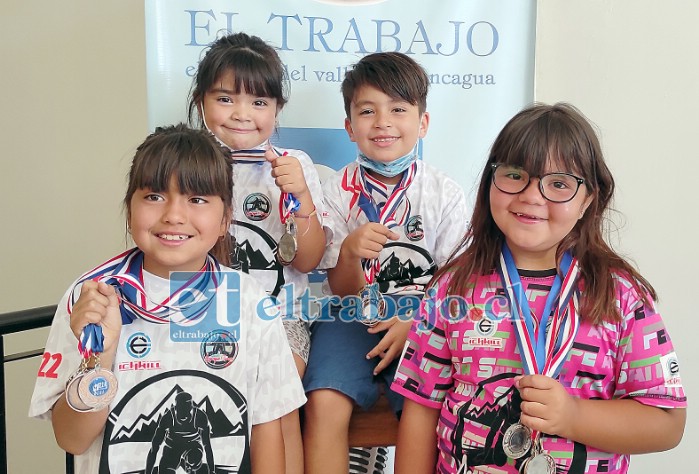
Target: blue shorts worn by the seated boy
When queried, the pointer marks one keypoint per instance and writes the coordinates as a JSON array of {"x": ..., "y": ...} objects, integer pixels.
[{"x": 338, "y": 362}]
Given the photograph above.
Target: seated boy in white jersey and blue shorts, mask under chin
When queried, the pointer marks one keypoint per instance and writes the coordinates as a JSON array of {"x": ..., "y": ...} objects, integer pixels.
[{"x": 396, "y": 219}]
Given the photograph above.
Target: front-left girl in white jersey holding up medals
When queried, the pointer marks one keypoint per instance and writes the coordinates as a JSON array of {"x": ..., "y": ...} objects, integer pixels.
[{"x": 149, "y": 371}]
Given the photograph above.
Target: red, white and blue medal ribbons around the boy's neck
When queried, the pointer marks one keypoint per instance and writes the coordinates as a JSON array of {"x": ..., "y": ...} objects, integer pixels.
[{"x": 385, "y": 214}]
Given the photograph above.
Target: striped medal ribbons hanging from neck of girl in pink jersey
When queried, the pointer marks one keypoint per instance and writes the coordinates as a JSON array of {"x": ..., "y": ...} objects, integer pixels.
[{"x": 543, "y": 353}]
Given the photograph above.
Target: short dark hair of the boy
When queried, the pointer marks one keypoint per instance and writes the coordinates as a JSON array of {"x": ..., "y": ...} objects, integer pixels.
[{"x": 395, "y": 74}]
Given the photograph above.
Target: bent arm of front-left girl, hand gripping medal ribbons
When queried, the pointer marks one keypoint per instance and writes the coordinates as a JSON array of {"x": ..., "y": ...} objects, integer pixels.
[{"x": 99, "y": 304}]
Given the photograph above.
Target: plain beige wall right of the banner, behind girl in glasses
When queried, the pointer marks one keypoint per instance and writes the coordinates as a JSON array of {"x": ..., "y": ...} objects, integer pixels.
[{"x": 633, "y": 69}]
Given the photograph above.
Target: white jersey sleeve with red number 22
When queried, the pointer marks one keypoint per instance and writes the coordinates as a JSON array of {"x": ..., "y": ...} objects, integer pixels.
[{"x": 59, "y": 361}]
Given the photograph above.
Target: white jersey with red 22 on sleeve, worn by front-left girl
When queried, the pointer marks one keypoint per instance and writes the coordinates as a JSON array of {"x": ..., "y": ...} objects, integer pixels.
[{"x": 180, "y": 404}]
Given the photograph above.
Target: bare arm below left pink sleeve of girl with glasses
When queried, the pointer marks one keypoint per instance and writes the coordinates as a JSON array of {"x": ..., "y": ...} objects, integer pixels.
[{"x": 416, "y": 448}]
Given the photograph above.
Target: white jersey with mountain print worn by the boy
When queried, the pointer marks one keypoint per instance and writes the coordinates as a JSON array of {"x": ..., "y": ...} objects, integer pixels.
[{"x": 432, "y": 220}]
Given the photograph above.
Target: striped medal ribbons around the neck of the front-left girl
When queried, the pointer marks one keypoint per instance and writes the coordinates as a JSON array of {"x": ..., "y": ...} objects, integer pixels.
[{"x": 186, "y": 305}]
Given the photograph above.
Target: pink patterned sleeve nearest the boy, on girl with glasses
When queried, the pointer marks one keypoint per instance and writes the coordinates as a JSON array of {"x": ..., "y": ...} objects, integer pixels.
[{"x": 424, "y": 374}]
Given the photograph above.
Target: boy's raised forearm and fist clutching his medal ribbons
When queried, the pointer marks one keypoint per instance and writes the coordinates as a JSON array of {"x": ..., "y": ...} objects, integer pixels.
[{"x": 365, "y": 242}]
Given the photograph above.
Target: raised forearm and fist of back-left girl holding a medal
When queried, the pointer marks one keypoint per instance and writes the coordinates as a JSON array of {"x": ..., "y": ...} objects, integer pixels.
[{"x": 288, "y": 176}]
